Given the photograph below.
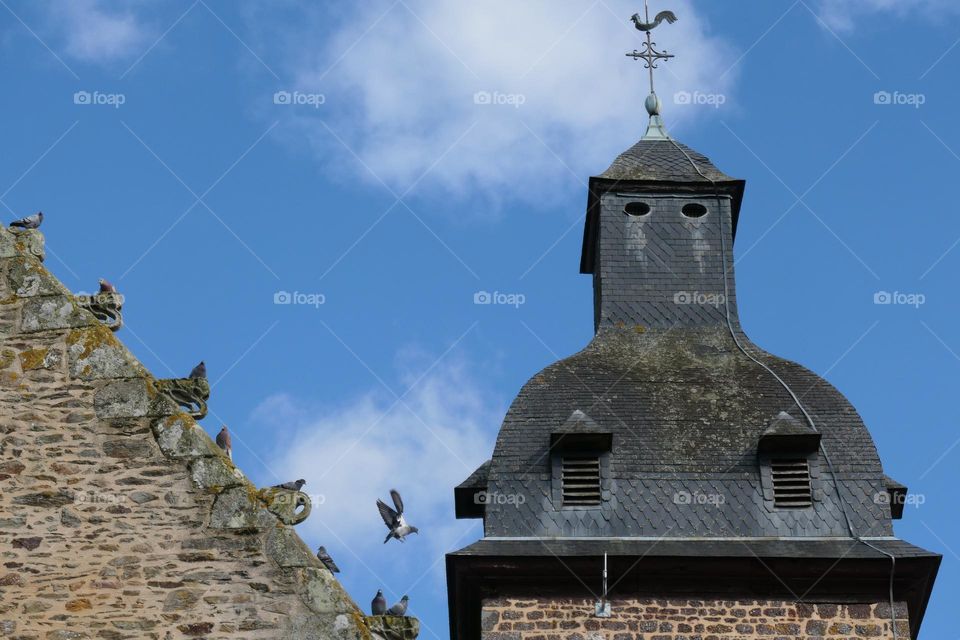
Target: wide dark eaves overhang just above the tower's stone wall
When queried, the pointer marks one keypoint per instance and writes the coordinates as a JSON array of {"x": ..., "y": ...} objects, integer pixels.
[{"x": 834, "y": 570}]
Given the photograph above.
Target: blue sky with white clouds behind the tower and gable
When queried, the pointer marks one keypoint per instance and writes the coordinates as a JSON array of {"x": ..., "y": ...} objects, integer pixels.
[{"x": 311, "y": 196}]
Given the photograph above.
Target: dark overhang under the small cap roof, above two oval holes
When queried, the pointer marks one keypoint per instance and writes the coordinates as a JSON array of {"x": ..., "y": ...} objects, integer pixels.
[{"x": 599, "y": 186}]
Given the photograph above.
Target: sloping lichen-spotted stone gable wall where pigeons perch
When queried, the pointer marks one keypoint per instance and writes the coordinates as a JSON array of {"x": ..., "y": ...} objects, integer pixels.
[{"x": 119, "y": 517}]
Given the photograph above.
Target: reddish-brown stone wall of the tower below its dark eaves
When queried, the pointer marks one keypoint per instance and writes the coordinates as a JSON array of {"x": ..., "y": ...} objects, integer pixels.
[{"x": 653, "y": 619}]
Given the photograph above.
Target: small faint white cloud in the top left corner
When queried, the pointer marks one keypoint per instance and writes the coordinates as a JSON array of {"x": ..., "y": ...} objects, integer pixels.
[{"x": 97, "y": 30}]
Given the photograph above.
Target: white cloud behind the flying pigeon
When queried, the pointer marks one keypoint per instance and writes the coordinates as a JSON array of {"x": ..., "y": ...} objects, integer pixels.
[{"x": 355, "y": 451}]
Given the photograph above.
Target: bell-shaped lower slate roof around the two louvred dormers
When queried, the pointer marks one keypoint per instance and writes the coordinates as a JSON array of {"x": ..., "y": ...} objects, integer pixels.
[{"x": 687, "y": 410}]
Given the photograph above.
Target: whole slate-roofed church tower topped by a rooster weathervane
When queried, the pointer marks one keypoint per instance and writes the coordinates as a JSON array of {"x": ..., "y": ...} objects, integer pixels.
[{"x": 673, "y": 480}]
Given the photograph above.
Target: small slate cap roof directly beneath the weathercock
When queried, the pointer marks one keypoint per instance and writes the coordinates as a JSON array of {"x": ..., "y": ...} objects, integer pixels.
[{"x": 662, "y": 161}]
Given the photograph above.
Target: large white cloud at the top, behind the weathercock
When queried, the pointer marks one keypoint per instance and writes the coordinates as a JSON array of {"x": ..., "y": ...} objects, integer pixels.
[{"x": 401, "y": 93}]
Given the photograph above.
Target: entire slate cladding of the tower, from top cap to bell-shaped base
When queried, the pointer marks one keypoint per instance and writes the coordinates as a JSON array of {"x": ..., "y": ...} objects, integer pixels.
[{"x": 686, "y": 408}]
